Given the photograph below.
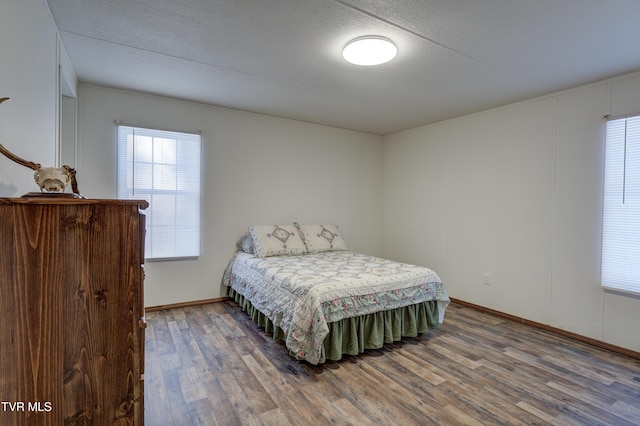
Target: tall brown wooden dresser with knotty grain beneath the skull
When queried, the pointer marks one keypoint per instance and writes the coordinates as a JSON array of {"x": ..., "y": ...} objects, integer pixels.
[{"x": 71, "y": 311}]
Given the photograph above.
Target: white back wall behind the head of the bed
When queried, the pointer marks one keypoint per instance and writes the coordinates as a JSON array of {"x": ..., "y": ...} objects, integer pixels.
[{"x": 257, "y": 170}]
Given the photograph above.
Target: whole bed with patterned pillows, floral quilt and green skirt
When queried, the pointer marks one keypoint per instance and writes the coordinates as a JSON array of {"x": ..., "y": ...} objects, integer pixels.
[{"x": 304, "y": 285}]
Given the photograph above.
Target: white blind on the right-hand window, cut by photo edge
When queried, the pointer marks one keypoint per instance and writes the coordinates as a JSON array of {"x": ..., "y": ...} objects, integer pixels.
[{"x": 621, "y": 216}]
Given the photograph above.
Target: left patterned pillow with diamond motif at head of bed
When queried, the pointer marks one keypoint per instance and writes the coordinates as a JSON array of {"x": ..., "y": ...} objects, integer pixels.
[{"x": 277, "y": 240}]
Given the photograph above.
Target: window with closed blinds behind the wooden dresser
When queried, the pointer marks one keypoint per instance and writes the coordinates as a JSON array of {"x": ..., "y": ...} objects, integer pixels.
[{"x": 163, "y": 168}]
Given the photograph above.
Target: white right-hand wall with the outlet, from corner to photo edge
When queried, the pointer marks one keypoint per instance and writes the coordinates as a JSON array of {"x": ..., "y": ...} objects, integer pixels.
[{"x": 516, "y": 193}]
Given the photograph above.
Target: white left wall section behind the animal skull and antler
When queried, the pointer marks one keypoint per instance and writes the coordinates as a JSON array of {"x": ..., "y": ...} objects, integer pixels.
[{"x": 29, "y": 75}]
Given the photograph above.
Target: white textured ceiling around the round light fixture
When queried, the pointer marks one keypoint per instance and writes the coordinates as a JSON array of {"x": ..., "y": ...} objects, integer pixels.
[{"x": 283, "y": 57}]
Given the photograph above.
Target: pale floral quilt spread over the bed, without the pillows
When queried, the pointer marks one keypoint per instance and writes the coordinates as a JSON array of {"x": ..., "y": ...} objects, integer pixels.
[{"x": 302, "y": 294}]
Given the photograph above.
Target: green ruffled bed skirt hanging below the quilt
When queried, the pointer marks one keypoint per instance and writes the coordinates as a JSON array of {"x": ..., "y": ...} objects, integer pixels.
[{"x": 352, "y": 336}]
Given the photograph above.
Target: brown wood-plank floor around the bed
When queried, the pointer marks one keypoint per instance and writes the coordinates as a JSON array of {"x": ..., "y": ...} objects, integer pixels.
[{"x": 209, "y": 364}]
